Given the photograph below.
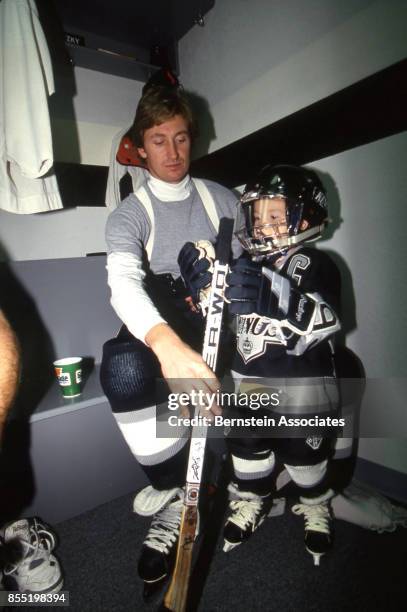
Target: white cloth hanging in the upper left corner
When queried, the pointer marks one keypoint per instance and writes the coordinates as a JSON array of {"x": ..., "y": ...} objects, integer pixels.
[{"x": 26, "y": 81}]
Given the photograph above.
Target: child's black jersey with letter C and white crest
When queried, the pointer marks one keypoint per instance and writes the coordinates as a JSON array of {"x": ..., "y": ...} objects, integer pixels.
[{"x": 268, "y": 347}]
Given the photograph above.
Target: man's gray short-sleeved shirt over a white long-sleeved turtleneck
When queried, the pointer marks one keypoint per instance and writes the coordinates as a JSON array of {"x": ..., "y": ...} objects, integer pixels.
[{"x": 178, "y": 217}]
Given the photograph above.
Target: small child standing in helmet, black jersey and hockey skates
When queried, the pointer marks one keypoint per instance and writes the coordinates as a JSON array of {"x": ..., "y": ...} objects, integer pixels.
[{"x": 285, "y": 297}]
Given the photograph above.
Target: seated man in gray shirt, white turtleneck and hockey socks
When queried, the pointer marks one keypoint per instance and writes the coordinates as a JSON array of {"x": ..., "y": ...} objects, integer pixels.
[{"x": 161, "y": 337}]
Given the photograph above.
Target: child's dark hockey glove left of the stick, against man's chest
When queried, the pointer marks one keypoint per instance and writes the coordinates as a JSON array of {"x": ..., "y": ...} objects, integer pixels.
[{"x": 196, "y": 269}]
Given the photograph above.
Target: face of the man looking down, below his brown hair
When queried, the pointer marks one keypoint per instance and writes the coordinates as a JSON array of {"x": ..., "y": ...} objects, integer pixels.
[{"x": 166, "y": 149}]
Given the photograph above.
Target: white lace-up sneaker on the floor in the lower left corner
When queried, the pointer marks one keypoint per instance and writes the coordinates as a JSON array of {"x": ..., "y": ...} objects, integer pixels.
[{"x": 31, "y": 567}]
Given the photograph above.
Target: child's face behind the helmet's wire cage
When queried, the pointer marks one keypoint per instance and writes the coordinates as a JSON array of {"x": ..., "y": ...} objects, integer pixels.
[{"x": 269, "y": 218}]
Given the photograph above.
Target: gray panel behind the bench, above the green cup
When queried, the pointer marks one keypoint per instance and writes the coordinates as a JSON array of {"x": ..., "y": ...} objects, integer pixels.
[{"x": 71, "y": 299}]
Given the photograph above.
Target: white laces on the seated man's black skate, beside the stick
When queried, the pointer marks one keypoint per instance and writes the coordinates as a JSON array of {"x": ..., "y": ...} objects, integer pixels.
[{"x": 164, "y": 528}]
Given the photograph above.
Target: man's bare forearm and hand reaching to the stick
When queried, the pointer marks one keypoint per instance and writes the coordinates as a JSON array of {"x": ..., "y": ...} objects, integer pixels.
[{"x": 184, "y": 368}]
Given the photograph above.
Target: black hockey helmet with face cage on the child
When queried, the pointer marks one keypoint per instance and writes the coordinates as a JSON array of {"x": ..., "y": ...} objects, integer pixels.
[{"x": 305, "y": 201}]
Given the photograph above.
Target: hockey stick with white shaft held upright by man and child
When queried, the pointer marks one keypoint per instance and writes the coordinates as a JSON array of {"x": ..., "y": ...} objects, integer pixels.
[{"x": 176, "y": 596}]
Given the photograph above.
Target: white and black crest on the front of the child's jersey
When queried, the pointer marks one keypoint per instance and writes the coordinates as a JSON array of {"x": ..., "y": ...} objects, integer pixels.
[{"x": 254, "y": 334}]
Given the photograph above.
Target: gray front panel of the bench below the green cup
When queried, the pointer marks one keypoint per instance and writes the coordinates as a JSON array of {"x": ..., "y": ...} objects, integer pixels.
[{"x": 79, "y": 461}]
